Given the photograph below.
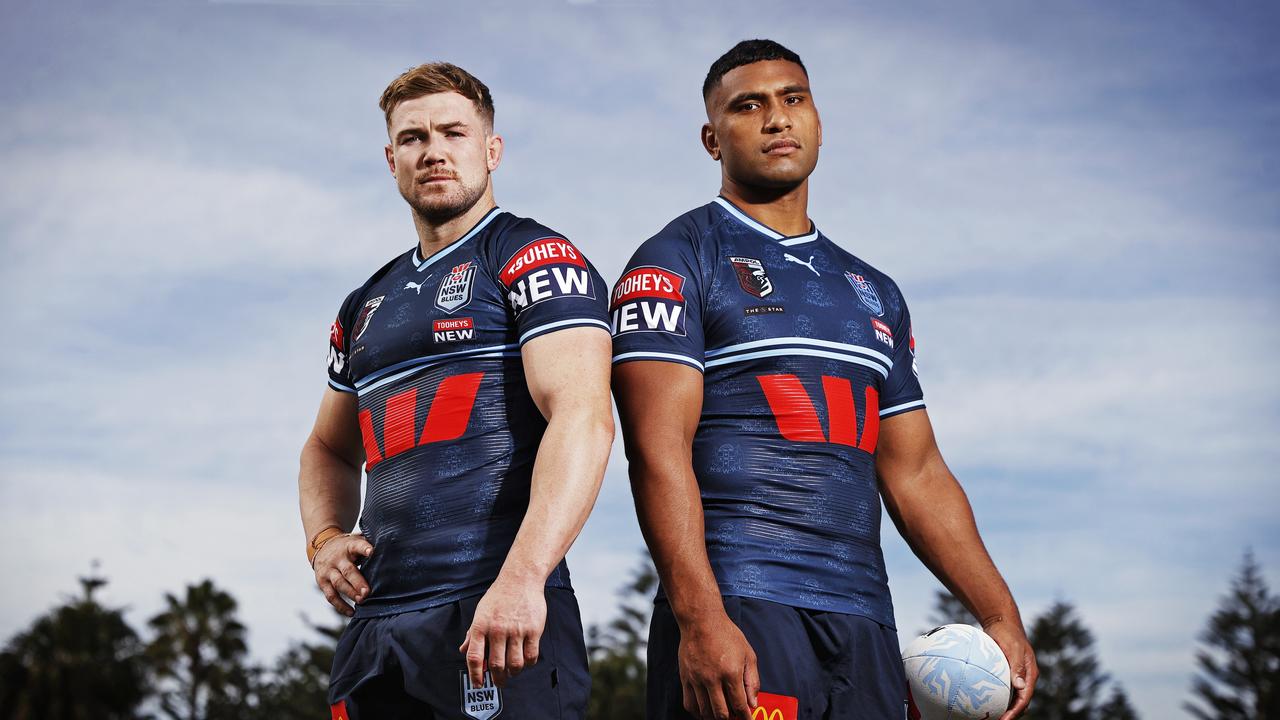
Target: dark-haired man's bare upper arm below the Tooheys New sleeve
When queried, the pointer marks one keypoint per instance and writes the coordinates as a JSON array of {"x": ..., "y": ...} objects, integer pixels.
[{"x": 660, "y": 405}]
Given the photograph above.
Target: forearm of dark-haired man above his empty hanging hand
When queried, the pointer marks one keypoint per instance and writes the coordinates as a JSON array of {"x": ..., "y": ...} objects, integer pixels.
[{"x": 671, "y": 517}]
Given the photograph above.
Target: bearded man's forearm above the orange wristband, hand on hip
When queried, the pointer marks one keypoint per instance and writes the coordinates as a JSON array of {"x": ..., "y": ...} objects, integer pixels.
[{"x": 328, "y": 489}]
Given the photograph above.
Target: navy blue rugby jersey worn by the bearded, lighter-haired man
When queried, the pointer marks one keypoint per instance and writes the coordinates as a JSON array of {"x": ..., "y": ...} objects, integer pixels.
[{"x": 432, "y": 350}]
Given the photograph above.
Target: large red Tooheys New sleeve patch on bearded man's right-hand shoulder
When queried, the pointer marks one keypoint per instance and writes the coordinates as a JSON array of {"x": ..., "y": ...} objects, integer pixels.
[{"x": 545, "y": 270}]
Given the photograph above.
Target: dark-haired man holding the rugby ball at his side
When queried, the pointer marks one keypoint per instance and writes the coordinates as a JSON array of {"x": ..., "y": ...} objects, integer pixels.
[{"x": 767, "y": 386}]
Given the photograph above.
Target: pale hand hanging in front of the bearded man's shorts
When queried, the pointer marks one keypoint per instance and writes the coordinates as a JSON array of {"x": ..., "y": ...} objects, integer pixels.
[{"x": 508, "y": 628}]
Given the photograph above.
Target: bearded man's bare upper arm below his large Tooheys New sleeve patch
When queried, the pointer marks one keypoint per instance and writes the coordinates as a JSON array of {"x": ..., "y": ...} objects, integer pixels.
[{"x": 569, "y": 368}]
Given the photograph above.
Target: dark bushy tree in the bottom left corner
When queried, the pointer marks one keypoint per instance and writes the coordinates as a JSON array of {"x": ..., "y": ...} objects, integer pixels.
[{"x": 80, "y": 662}]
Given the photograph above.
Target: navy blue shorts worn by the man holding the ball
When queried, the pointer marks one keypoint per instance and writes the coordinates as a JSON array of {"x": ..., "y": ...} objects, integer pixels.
[{"x": 836, "y": 667}]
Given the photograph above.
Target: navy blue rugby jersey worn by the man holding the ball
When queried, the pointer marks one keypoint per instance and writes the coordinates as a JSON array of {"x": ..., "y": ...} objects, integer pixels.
[{"x": 803, "y": 349}]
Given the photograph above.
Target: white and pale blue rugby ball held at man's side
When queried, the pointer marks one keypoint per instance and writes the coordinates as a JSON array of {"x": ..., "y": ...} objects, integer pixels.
[{"x": 957, "y": 673}]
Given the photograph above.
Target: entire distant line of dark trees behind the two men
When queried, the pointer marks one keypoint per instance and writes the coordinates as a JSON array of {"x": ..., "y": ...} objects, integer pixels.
[{"x": 84, "y": 662}]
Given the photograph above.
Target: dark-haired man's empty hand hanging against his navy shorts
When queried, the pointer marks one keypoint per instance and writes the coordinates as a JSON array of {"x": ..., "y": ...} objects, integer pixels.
[{"x": 717, "y": 671}]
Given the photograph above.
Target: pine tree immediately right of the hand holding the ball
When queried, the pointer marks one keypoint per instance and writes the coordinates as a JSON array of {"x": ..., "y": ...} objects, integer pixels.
[{"x": 1071, "y": 676}]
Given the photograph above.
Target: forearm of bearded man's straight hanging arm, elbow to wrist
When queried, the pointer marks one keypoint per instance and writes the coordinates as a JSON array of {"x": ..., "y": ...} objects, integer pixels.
[{"x": 566, "y": 481}]
